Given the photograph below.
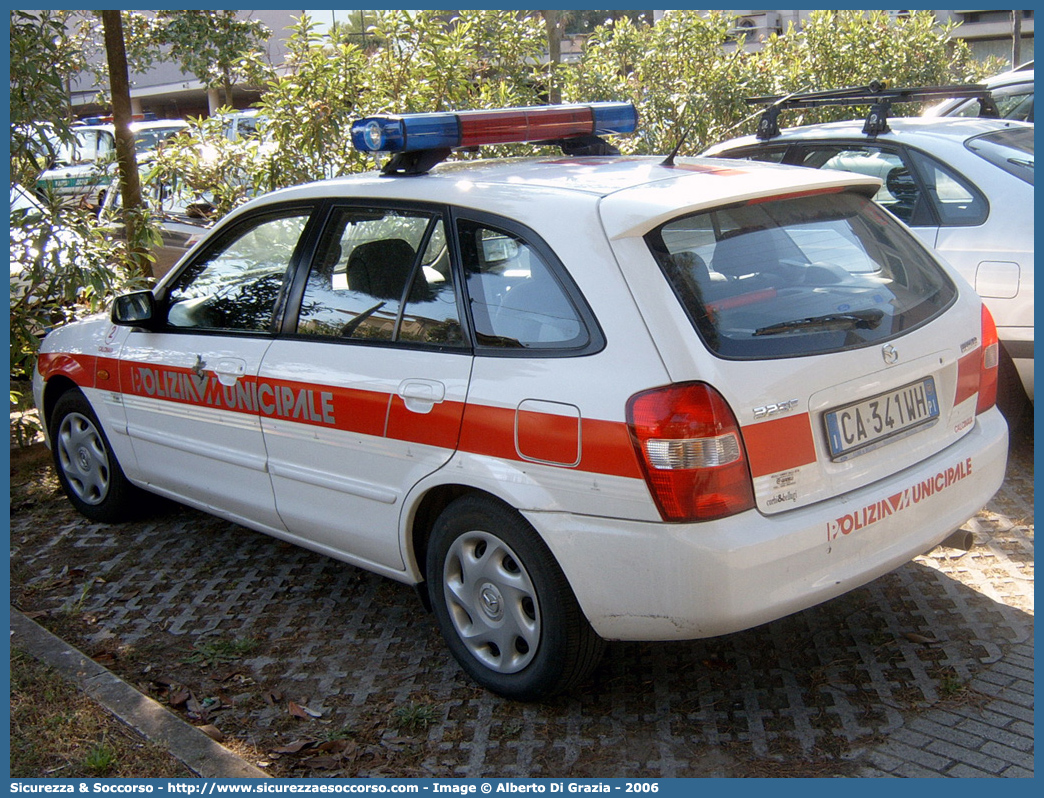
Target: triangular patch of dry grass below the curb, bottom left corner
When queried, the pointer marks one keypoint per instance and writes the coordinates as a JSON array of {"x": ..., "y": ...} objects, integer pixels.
[{"x": 56, "y": 732}]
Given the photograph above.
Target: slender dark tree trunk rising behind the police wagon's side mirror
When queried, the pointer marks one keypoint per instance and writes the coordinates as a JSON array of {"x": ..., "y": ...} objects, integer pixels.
[{"x": 120, "y": 87}]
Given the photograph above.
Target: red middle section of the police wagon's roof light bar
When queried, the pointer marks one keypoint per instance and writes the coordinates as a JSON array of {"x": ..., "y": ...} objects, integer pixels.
[{"x": 480, "y": 128}]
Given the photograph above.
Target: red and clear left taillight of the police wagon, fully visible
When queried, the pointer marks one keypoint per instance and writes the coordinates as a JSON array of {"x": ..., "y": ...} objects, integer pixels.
[{"x": 689, "y": 442}]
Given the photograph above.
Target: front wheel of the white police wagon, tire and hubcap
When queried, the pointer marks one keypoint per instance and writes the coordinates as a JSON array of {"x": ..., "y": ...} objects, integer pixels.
[{"x": 90, "y": 475}]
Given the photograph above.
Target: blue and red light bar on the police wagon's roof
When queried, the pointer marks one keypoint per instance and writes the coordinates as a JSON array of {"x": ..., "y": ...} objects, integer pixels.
[{"x": 409, "y": 133}]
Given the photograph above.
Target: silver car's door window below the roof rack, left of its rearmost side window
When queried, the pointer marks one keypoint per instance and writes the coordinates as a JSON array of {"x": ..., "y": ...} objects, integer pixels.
[{"x": 899, "y": 193}]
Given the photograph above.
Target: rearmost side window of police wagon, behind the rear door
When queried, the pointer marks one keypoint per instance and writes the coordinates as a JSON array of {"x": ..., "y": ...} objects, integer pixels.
[{"x": 516, "y": 300}]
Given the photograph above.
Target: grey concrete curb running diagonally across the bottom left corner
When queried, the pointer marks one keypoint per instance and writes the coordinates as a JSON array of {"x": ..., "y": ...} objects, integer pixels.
[{"x": 149, "y": 718}]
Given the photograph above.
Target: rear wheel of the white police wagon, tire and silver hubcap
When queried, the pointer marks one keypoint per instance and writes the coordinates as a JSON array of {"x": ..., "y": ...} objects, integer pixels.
[{"x": 504, "y": 605}]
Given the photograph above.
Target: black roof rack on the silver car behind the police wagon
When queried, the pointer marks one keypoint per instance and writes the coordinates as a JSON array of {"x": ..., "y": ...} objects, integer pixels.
[{"x": 876, "y": 95}]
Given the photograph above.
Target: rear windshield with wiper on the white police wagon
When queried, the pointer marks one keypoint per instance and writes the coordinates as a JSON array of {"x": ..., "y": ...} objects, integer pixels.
[{"x": 799, "y": 276}]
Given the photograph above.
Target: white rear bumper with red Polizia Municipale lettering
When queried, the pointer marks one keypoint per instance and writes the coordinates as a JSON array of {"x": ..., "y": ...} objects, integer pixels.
[{"x": 660, "y": 582}]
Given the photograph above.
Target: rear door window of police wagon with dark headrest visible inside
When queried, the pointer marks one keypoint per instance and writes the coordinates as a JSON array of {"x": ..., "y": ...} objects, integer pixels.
[{"x": 383, "y": 275}]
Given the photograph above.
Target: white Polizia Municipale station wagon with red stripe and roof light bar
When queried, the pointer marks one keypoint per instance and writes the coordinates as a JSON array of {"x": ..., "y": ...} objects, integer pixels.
[{"x": 574, "y": 398}]
